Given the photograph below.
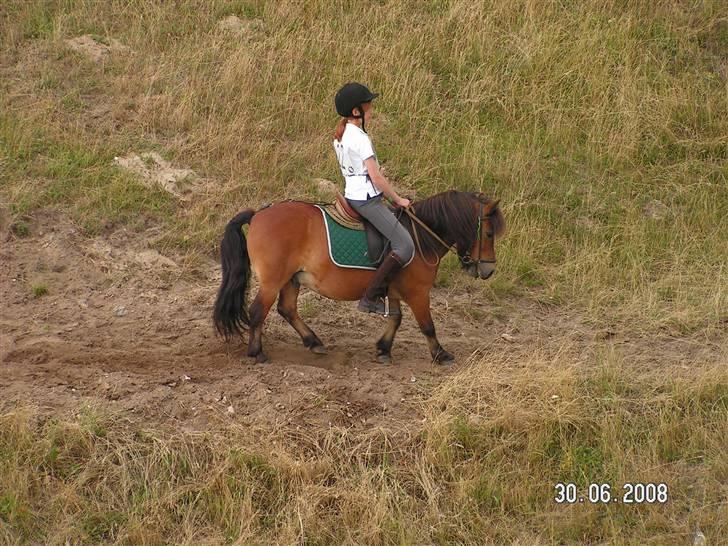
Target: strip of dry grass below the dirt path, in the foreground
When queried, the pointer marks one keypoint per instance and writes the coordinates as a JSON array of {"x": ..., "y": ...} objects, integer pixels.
[{"x": 481, "y": 469}]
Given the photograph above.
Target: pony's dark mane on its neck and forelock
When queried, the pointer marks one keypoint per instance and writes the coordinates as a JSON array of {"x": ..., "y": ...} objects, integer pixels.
[{"x": 454, "y": 217}]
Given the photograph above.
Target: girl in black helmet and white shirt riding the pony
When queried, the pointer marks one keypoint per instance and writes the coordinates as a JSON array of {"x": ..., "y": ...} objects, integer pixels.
[{"x": 365, "y": 186}]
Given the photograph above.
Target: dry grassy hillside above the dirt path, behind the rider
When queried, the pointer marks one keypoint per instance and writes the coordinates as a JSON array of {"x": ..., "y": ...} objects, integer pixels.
[{"x": 576, "y": 115}]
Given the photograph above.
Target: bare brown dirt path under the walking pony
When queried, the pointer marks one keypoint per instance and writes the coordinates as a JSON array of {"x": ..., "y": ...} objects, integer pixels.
[{"x": 121, "y": 326}]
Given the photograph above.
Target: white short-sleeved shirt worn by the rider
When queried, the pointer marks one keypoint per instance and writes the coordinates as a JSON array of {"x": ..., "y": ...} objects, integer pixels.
[{"x": 352, "y": 150}]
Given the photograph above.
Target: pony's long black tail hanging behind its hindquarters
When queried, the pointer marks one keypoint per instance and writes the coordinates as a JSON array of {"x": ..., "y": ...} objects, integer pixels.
[{"x": 231, "y": 312}]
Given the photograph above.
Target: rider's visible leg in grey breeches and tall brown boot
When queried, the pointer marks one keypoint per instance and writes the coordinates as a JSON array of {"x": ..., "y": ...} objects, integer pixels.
[{"x": 403, "y": 250}]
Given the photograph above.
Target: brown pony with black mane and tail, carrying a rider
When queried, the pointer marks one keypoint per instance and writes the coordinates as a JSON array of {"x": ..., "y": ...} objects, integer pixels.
[{"x": 287, "y": 248}]
